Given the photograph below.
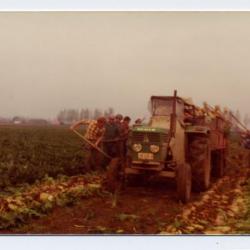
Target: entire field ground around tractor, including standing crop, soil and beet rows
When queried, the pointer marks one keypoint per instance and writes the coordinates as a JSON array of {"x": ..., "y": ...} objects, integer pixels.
[{"x": 45, "y": 190}]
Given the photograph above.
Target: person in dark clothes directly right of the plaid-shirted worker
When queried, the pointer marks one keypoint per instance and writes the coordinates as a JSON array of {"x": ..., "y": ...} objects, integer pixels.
[{"x": 111, "y": 137}]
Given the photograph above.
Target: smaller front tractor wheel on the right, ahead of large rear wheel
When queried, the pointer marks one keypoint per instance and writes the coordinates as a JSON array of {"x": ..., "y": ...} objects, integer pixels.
[{"x": 184, "y": 182}]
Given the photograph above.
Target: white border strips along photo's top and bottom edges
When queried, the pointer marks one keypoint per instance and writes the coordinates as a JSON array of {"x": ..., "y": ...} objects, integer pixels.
[{"x": 125, "y": 242}]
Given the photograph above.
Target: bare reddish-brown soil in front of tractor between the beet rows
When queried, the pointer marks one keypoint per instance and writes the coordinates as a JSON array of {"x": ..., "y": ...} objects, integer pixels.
[{"x": 136, "y": 210}]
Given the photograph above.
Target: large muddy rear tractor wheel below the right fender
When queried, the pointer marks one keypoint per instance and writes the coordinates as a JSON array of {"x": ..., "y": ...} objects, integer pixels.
[{"x": 200, "y": 160}]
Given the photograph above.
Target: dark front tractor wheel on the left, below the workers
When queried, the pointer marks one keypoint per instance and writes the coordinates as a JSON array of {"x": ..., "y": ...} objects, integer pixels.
[{"x": 112, "y": 181}]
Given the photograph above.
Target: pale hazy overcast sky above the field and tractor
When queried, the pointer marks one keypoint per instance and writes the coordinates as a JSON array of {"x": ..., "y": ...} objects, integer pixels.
[{"x": 55, "y": 60}]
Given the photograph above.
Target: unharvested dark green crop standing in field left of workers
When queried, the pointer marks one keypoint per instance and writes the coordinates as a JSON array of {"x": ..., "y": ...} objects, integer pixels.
[{"x": 30, "y": 153}]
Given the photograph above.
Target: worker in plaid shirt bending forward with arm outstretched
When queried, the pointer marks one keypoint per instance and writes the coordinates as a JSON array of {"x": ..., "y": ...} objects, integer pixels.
[{"x": 94, "y": 134}]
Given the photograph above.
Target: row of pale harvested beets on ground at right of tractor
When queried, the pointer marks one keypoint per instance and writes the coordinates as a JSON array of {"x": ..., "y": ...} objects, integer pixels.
[{"x": 216, "y": 212}]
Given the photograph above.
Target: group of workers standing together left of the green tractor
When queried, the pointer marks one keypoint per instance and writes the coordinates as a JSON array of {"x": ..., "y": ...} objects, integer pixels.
[{"x": 110, "y": 134}]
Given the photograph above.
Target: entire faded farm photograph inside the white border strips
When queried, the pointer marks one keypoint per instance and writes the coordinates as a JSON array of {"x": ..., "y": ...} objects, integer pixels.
[{"x": 116, "y": 123}]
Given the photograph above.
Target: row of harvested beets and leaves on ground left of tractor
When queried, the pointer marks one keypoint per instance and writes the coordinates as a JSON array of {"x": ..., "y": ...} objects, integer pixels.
[{"x": 27, "y": 201}]
